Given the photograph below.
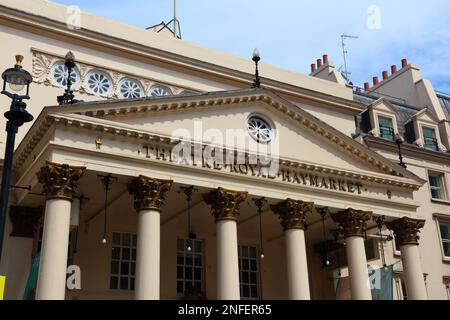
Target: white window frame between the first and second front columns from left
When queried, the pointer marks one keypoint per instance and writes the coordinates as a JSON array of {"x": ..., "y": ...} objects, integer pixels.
[{"x": 131, "y": 277}]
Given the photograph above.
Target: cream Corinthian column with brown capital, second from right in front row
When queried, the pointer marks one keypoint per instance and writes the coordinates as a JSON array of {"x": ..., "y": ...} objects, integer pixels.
[{"x": 352, "y": 225}]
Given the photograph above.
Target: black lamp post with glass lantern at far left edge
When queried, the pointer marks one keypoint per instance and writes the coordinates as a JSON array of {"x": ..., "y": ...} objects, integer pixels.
[{"x": 18, "y": 79}]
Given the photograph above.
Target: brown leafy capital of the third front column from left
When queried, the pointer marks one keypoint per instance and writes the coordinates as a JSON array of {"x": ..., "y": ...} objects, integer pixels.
[{"x": 225, "y": 203}]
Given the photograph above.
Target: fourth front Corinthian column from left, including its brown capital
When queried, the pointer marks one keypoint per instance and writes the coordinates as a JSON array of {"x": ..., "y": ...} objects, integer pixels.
[{"x": 292, "y": 215}]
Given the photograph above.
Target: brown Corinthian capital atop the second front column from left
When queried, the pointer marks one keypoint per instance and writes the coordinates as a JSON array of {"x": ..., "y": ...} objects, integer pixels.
[{"x": 149, "y": 193}]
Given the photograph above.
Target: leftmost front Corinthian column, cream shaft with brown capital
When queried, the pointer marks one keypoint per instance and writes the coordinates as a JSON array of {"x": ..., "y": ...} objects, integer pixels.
[{"x": 60, "y": 182}]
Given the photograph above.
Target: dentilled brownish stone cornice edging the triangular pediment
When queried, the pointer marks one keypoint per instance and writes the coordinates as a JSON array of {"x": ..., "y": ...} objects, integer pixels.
[{"x": 88, "y": 116}]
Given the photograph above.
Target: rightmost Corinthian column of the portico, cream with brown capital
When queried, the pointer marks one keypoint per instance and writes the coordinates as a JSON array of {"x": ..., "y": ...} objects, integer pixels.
[{"x": 406, "y": 231}]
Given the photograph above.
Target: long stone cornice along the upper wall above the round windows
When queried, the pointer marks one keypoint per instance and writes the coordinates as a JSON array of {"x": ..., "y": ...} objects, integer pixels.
[{"x": 123, "y": 47}]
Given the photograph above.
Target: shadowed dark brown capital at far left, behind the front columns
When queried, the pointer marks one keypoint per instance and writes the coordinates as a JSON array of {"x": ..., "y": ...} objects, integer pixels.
[{"x": 24, "y": 220}]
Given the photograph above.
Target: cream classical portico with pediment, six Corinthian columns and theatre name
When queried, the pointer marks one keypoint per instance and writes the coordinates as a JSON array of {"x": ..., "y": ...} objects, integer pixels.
[{"x": 155, "y": 250}]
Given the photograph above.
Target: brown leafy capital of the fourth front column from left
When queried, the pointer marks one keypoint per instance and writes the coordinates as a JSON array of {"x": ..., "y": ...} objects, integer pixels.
[{"x": 292, "y": 213}]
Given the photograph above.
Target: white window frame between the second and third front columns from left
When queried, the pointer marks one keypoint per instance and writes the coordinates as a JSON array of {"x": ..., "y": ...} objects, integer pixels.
[{"x": 202, "y": 267}]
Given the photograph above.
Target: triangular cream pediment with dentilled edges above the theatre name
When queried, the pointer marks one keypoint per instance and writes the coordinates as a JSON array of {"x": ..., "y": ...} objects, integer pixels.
[{"x": 302, "y": 137}]
